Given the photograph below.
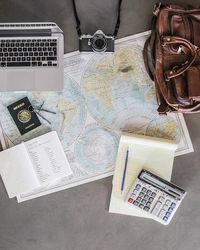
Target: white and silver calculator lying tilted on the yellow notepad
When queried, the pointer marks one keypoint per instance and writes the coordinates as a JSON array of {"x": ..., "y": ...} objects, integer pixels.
[{"x": 156, "y": 196}]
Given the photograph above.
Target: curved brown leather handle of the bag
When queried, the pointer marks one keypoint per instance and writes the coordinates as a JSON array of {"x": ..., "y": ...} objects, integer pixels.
[{"x": 166, "y": 40}]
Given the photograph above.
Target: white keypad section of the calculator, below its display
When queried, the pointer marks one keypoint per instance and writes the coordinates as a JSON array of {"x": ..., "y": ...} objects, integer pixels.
[{"x": 152, "y": 200}]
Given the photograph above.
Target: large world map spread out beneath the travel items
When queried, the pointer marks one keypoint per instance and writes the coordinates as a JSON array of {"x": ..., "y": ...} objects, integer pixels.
[{"x": 104, "y": 94}]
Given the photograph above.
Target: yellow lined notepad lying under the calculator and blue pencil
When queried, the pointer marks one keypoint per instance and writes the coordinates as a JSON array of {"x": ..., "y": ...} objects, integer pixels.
[{"x": 153, "y": 154}]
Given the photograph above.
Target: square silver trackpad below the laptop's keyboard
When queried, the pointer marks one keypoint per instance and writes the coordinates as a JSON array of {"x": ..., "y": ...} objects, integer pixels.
[{"x": 21, "y": 80}]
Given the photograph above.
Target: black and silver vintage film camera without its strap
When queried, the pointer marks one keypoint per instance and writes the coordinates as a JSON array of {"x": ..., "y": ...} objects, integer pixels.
[{"x": 99, "y": 42}]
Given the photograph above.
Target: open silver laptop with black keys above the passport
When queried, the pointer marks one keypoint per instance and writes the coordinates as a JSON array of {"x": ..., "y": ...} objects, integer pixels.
[{"x": 31, "y": 57}]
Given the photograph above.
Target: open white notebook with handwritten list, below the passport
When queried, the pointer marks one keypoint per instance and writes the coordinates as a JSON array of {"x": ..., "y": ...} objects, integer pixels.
[{"x": 33, "y": 164}]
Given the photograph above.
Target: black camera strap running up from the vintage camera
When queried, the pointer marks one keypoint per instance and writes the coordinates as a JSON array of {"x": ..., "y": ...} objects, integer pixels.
[{"x": 78, "y": 23}]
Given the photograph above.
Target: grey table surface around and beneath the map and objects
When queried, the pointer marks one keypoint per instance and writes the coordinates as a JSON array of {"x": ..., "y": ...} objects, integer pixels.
[{"x": 78, "y": 218}]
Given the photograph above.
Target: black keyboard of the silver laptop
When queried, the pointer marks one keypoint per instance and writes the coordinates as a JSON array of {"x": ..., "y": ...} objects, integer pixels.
[{"x": 28, "y": 53}]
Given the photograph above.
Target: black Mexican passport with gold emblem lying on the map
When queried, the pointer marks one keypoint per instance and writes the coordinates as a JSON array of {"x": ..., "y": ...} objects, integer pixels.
[{"x": 24, "y": 116}]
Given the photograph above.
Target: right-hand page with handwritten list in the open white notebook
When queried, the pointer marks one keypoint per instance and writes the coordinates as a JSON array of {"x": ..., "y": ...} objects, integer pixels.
[{"x": 48, "y": 158}]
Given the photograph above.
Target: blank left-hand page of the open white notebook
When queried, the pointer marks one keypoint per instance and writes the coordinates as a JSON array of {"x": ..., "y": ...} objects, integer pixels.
[{"x": 17, "y": 171}]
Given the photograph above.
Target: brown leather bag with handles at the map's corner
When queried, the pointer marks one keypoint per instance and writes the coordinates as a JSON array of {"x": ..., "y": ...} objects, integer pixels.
[{"x": 172, "y": 58}]
